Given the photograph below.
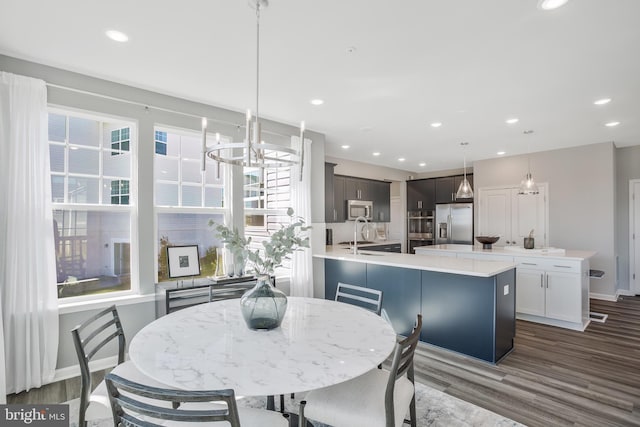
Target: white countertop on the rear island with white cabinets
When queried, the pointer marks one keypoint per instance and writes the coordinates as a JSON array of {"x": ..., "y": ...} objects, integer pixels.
[{"x": 514, "y": 252}]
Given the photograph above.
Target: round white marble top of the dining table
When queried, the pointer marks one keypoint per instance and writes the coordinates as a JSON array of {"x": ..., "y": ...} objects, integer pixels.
[{"x": 209, "y": 346}]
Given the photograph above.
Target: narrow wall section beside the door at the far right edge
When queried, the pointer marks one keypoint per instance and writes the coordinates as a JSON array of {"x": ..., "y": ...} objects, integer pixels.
[{"x": 627, "y": 168}]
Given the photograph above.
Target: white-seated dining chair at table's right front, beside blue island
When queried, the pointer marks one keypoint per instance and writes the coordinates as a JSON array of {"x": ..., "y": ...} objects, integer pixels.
[{"x": 379, "y": 398}]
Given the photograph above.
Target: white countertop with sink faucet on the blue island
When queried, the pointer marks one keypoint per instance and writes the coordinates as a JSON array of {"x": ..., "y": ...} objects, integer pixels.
[{"x": 467, "y": 267}]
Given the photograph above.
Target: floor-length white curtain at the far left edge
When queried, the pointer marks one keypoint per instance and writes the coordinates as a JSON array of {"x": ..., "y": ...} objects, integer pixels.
[{"x": 27, "y": 254}]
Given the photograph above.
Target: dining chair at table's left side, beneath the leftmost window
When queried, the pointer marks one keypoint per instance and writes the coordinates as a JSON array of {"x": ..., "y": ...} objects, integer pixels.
[{"x": 88, "y": 338}]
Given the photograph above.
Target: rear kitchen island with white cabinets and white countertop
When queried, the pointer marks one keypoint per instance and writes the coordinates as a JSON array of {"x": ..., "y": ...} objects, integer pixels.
[{"x": 552, "y": 285}]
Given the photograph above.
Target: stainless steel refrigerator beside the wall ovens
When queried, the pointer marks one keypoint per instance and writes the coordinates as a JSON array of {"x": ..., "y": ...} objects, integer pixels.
[{"x": 454, "y": 223}]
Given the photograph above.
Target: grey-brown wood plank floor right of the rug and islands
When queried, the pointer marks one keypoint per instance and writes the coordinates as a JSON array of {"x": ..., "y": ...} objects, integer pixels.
[{"x": 554, "y": 376}]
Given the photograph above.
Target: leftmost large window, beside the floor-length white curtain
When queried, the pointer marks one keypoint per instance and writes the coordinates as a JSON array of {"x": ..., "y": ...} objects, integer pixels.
[{"x": 90, "y": 182}]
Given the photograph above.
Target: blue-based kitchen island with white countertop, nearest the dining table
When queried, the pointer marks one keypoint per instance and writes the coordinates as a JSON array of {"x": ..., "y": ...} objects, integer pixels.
[{"x": 467, "y": 306}]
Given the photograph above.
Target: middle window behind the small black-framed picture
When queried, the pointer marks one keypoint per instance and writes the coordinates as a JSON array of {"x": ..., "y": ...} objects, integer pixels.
[{"x": 186, "y": 199}]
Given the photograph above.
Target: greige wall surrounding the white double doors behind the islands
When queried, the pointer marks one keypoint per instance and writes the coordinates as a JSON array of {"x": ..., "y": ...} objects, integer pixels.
[{"x": 581, "y": 199}]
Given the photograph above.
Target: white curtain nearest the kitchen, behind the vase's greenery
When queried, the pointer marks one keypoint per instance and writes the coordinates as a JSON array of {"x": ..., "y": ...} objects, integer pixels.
[{"x": 302, "y": 261}]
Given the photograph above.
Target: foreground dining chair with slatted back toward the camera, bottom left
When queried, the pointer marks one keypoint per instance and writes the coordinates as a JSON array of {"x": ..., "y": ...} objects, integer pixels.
[{"x": 137, "y": 404}]
